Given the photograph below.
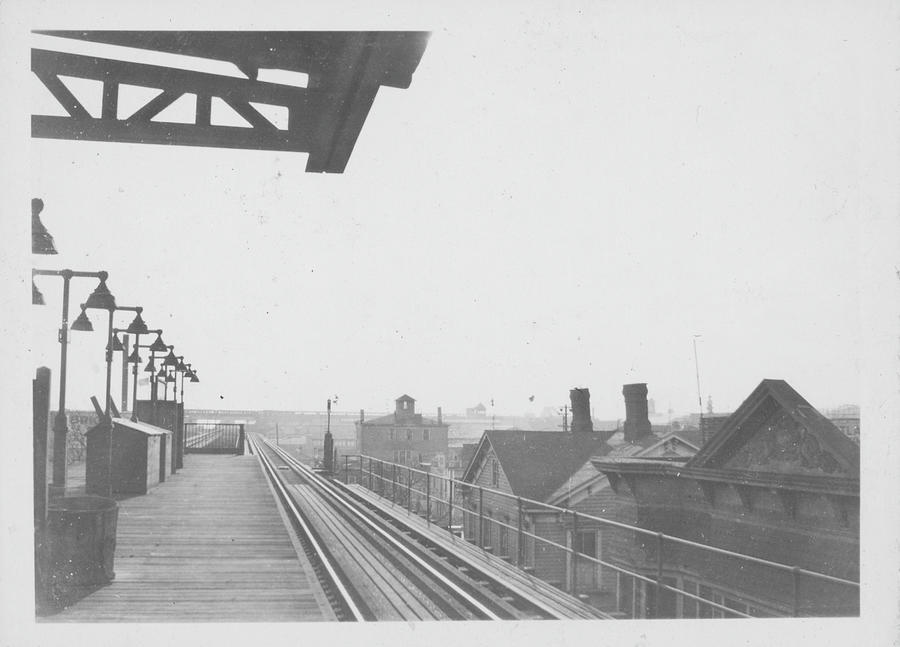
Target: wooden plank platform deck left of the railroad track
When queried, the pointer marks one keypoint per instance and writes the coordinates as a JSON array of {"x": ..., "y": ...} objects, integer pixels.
[{"x": 208, "y": 545}]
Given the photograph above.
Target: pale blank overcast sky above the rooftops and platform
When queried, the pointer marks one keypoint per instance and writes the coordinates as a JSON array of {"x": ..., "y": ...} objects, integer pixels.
[{"x": 561, "y": 198}]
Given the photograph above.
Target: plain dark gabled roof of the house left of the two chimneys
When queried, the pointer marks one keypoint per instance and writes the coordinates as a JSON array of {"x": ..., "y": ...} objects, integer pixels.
[{"x": 536, "y": 463}]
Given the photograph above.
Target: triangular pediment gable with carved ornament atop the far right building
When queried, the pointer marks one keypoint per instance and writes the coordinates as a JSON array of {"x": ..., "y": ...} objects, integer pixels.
[{"x": 775, "y": 430}]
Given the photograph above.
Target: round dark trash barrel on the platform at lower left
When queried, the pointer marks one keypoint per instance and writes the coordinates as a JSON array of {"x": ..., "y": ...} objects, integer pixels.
[{"x": 81, "y": 533}]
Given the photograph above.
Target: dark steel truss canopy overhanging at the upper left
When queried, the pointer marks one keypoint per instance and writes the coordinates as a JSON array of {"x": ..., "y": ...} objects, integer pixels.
[{"x": 344, "y": 71}]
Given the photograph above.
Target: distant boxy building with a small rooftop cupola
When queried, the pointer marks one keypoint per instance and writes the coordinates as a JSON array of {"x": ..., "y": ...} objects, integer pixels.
[{"x": 403, "y": 437}]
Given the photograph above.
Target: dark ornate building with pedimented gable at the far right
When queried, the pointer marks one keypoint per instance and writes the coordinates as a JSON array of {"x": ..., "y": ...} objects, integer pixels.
[{"x": 779, "y": 482}]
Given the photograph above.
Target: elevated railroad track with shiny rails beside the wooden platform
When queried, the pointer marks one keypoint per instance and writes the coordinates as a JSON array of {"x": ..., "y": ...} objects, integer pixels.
[{"x": 372, "y": 567}]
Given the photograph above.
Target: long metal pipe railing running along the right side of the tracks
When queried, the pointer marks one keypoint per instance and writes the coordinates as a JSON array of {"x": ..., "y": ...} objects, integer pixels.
[{"x": 660, "y": 585}]
